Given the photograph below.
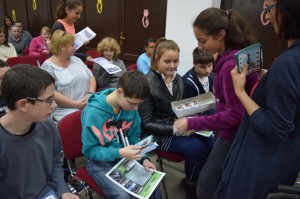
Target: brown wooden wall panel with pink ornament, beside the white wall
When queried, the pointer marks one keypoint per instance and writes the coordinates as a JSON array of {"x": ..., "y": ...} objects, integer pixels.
[{"x": 143, "y": 19}]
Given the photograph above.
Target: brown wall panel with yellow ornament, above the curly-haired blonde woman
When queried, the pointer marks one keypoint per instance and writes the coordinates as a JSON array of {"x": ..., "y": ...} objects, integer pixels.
[{"x": 107, "y": 22}]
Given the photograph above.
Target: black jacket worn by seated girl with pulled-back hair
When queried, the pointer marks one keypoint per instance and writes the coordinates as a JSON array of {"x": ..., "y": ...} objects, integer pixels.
[{"x": 156, "y": 112}]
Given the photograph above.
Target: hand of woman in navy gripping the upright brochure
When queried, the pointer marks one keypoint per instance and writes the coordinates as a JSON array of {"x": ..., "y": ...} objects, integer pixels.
[{"x": 239, "y": 79}]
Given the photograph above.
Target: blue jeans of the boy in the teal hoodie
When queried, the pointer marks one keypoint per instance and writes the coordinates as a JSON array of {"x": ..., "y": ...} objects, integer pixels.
[{"x": 97, "y": 171}]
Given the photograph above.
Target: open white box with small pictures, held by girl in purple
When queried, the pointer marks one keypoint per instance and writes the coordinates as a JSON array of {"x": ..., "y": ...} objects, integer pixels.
[{"x": 194, "y": 105}]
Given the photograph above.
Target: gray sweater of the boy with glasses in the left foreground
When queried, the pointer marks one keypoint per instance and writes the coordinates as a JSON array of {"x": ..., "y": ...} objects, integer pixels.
[{"x": 31, "y": 165}]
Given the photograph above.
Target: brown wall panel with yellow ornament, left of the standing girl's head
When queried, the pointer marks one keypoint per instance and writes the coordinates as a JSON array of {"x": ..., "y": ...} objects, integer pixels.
[{"x": 39, "y": 15}]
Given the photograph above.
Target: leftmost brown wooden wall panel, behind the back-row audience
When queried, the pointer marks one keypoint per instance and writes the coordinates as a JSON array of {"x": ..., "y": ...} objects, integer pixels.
[{"x": 17, "y": 10}]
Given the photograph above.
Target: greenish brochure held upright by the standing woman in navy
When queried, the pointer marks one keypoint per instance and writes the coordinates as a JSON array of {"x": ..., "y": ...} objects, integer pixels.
[{"x": 251, "y": 55}]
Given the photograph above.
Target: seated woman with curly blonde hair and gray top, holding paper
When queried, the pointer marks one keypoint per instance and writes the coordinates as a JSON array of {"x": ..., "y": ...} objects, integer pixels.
[{"x": 109, "y": 49}]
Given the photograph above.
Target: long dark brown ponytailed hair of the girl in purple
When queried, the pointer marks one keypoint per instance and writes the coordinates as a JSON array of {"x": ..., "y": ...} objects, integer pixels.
[{"x": 239, "y": 32}]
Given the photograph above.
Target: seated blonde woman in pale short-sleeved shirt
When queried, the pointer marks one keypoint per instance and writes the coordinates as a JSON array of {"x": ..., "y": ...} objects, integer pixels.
[{"x": 74, "y": 82}]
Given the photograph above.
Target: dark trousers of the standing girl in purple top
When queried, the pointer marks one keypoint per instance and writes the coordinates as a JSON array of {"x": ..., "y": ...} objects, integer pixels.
[{"x": 212, "y": 170}]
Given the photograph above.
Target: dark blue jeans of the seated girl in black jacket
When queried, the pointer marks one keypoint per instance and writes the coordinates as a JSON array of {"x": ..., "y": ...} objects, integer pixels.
[{"x": 196, "y": 149}]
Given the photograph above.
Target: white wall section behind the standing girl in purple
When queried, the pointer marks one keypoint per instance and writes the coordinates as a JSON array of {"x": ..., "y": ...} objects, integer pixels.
[{"x": 179, "y": 27}]
